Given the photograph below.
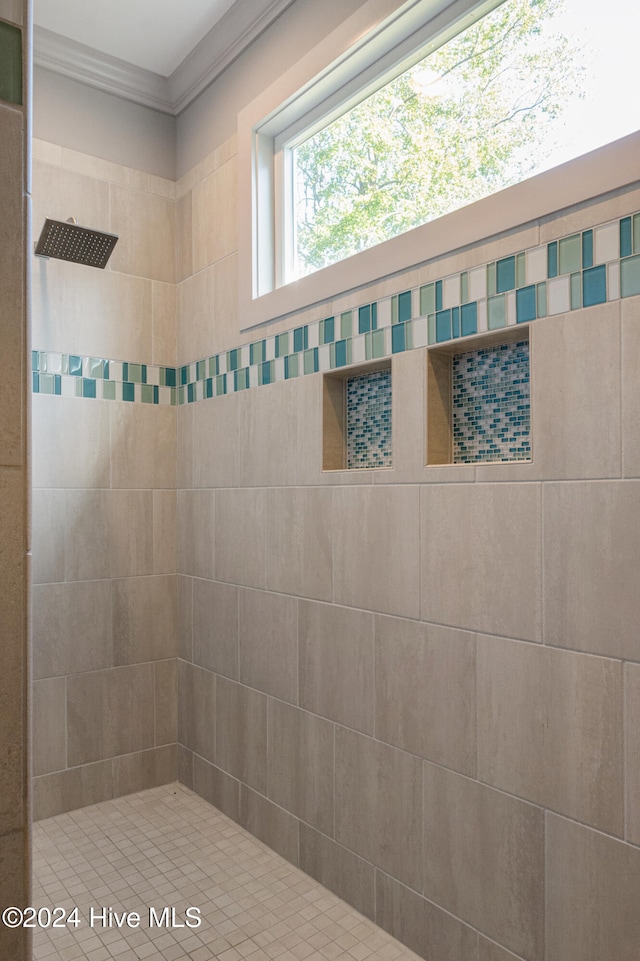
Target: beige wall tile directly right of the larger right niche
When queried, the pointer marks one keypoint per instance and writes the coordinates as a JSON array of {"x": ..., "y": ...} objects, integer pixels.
[{"x": 575, "y": 394}]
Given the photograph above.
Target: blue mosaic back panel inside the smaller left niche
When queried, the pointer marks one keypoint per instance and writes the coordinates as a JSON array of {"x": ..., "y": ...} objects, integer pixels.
[{"x": 368, "y": 417}]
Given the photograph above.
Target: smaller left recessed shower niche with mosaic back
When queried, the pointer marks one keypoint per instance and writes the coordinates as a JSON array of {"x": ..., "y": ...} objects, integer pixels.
[{"x": 357, "y": 427}]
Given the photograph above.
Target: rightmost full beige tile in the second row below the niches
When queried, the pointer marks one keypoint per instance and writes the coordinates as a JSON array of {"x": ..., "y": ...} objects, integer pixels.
[{"x": 550, "y": 729}]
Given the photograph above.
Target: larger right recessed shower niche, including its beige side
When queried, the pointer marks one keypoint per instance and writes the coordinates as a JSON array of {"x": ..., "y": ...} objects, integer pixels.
[{"x": 478, "y": 400}]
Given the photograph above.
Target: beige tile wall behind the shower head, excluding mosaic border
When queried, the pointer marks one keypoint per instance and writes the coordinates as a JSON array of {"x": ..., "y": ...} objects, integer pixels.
[{"x": 105, "y": 594}]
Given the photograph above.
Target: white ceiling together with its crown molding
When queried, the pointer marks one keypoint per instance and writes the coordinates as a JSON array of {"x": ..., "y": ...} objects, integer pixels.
[{"x": 160, "y": 53}]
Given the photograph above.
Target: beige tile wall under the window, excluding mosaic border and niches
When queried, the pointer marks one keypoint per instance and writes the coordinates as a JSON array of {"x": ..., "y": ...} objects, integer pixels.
[{"x": 415, "y": 679}]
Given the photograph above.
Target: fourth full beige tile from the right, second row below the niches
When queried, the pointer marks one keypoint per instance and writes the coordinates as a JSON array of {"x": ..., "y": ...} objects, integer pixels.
[{"x": 268, "y": 643}]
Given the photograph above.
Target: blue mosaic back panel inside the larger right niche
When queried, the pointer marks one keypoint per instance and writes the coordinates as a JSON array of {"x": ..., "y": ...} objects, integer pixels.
[{"x": 490, "y": 403}]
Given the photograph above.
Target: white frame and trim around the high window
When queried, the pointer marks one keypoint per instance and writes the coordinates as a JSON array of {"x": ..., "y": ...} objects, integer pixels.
[{"x": 371, "y": 42}]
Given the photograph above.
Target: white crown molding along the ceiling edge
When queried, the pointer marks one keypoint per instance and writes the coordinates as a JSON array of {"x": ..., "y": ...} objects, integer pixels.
[{"x": 223, "y": 44}]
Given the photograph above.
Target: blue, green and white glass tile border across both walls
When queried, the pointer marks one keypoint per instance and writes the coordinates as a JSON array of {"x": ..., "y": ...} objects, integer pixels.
[{"x": 583, "y": 269}]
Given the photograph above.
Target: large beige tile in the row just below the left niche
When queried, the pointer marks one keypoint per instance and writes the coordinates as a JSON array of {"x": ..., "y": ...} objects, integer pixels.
[{"x": 376, "y": 549}]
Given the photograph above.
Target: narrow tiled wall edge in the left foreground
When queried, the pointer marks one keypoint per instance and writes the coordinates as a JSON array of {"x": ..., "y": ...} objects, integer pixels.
[{"x": 15, "y": 881}]
